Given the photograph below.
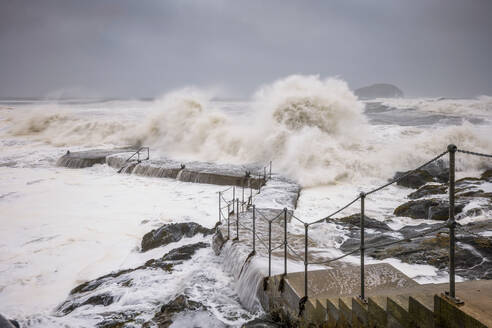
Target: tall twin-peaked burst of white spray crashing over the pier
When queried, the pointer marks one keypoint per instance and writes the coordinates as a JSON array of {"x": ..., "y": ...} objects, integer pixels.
[{"x": 302, "y": 123}]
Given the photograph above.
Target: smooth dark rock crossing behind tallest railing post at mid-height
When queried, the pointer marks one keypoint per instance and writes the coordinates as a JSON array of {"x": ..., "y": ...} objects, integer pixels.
[{"x": 429, "y": 209}]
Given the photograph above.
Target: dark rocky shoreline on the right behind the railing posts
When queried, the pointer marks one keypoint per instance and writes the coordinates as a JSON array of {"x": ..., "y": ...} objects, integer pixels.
[{"x": 428, "y": 201}]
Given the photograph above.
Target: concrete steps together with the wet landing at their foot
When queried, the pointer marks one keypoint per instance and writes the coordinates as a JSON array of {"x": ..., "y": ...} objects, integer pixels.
[{"x": 392, "y": 300}]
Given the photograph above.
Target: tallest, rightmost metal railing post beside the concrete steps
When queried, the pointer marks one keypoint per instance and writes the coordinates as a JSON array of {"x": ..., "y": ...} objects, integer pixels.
[{"x": 452, "y": 223}]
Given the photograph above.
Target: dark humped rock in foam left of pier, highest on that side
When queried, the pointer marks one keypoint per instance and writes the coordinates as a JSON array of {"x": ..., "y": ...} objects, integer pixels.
[{"x": 172, "y": 232}]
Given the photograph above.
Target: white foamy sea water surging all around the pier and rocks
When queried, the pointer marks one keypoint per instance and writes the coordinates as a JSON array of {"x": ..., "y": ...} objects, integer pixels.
[{"x": 61, "y": 227}]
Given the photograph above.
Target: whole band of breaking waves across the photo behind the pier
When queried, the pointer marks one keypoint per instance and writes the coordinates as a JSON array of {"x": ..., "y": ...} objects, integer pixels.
[{"x": 314, "y": 130}]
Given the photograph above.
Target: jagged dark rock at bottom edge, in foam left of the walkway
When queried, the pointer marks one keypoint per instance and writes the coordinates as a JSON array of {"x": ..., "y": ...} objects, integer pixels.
[{"x": 164, "y": 318}]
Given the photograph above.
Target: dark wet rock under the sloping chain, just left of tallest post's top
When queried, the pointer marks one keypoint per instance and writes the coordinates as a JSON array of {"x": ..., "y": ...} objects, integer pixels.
[{"x": 434, "y": 172}]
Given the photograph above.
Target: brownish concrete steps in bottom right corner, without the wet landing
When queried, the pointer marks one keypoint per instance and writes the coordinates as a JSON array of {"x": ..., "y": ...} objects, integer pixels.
[{"x": 422, "y": 306}]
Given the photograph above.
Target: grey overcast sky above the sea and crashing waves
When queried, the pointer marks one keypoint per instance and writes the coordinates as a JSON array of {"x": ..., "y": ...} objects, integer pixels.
[{"x": 139, "y": 48}]
